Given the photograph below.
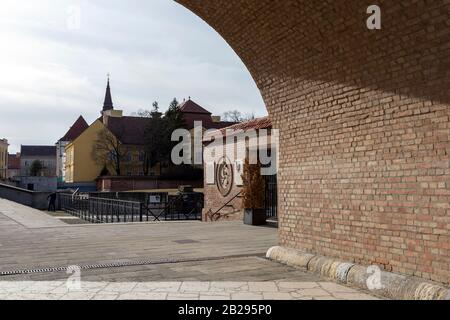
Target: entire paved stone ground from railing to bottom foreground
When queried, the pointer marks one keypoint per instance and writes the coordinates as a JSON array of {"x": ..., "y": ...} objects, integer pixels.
[{"x": 185, "y": 260}]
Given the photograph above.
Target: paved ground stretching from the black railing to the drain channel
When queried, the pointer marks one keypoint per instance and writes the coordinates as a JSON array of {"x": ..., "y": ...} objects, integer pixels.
[{"x": 23, "y": 247}]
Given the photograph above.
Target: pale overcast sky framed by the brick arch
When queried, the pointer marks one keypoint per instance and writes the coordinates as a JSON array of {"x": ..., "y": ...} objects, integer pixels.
[{"x": 54, "y": 62}]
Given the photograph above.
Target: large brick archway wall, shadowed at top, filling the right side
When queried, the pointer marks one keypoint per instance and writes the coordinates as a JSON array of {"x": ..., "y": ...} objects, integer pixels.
[{"x": 364, "y": 123}]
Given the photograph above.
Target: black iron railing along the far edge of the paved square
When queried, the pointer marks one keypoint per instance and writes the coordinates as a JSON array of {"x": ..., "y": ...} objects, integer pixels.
[{"x": 107, "y": 208}]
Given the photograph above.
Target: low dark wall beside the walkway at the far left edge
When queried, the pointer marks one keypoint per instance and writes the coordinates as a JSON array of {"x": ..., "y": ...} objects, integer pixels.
[{"x": 37, "y": 200}]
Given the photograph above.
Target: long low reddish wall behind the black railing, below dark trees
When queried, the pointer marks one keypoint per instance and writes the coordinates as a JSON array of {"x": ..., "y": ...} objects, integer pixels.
[{"x": 117, "y": 184}]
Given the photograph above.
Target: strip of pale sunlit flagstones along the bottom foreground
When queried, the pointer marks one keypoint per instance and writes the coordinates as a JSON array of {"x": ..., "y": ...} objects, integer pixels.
[{"x": 177, "y": 290}]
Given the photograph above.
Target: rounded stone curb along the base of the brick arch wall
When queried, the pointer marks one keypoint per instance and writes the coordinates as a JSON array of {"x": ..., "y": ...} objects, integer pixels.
[{"x": 392, "y": 285}]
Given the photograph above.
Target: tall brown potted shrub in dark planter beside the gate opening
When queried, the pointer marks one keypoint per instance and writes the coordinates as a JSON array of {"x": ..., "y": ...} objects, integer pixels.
[{"x": 253, "y": 195}]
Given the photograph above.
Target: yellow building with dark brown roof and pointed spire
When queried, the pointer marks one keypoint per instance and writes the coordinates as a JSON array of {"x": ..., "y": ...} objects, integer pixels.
[{"x": 82, "y": 166}]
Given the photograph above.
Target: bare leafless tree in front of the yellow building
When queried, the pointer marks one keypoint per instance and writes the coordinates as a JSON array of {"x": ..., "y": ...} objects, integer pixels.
[{"x": 108, "y": 151}]
